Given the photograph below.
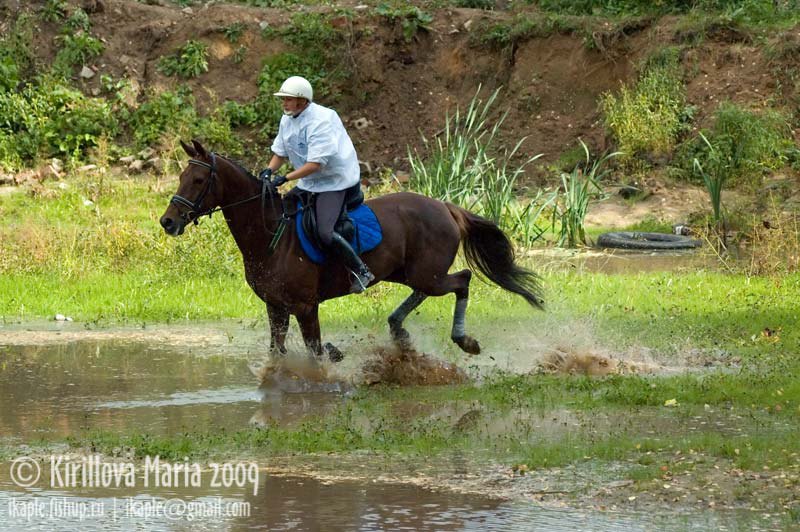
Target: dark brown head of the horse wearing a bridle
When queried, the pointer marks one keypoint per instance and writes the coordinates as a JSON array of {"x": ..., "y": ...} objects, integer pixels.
[{"x": 197, "y": 190}]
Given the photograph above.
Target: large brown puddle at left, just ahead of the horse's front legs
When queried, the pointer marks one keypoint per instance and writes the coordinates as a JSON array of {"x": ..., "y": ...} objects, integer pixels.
[{"x": 52, "y": 391}]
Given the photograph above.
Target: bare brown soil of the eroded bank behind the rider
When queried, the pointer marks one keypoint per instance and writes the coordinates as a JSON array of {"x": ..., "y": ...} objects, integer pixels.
[{"x": 551, "y": 84}]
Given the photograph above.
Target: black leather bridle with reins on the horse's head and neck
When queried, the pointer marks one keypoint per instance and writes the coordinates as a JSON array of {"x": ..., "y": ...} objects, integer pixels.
[{"x": 194, "y": 209}]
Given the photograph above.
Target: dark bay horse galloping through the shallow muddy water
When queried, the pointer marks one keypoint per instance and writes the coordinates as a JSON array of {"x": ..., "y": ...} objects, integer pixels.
[{"x": 421, "y": 237}]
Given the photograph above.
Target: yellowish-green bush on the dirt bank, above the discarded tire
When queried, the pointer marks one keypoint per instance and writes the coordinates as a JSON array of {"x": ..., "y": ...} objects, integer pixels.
[{"x": 647, "y": 117}]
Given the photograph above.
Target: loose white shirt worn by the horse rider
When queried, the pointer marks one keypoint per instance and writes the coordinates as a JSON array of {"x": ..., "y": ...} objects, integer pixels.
[{"x": 317, "y": 135}]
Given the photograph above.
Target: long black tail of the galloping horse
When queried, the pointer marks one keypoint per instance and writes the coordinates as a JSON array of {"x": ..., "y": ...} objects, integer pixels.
[{"x": 489, "y": 250}]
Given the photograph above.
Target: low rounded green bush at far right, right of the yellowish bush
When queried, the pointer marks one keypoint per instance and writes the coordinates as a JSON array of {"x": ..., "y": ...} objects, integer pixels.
[{"x": 741, "y": 143}]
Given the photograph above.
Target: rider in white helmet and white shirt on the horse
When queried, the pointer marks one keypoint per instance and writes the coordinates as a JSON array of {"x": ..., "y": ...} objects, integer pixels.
[{"x": 314, "y": 140}]
